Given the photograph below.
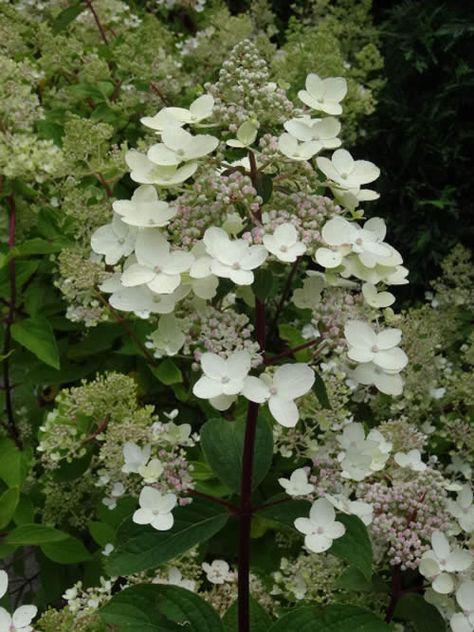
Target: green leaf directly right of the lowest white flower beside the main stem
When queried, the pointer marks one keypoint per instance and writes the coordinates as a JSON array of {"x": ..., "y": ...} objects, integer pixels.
[{"x": 354, "y": 546}]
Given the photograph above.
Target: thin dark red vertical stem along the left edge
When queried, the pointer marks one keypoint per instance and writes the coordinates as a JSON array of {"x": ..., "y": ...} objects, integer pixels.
[{"x": 7, "y": 385}]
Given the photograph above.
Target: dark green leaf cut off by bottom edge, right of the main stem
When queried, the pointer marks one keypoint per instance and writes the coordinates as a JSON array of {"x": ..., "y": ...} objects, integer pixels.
[{"x": 334, "y": 618}]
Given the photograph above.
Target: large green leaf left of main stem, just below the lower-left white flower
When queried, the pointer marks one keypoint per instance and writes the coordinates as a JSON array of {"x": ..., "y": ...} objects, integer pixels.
[{"x": 141, "y": 548}]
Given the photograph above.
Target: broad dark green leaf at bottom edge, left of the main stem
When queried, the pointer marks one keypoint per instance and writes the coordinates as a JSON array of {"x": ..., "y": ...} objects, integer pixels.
[{"x": 160, "y": 608}]
